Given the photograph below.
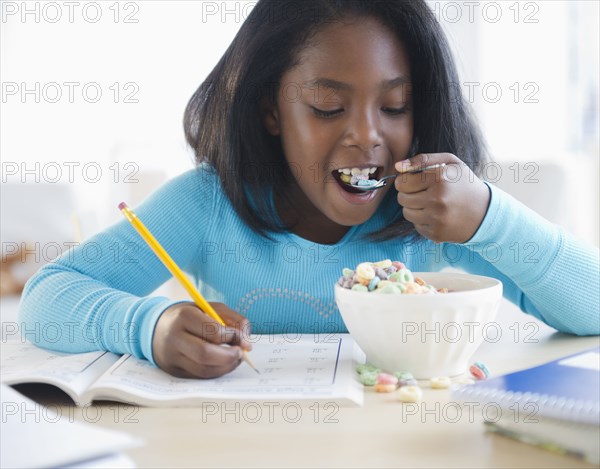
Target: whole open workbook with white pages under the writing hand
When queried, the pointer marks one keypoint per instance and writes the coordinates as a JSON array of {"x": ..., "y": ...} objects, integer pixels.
[{"x": 312, "y": 368}]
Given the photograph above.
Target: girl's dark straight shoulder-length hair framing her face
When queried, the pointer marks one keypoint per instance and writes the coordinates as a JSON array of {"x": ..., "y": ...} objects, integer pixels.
[{"x": 224, "y": 123}]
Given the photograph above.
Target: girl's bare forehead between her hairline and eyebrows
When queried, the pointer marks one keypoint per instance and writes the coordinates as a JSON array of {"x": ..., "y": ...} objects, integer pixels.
[{"x": 359, "y": 48}]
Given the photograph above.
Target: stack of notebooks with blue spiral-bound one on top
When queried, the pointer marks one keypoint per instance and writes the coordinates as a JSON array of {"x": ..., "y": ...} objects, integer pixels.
[{"x": 555, "y": 406}]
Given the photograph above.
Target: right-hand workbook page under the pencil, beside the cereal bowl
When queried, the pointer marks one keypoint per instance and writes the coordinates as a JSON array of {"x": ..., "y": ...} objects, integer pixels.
[{"x": 304, "y": 367}]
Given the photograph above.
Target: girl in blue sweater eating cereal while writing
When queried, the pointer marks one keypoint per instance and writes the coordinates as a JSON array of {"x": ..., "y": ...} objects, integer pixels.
[{"x": 309, "y": 90}]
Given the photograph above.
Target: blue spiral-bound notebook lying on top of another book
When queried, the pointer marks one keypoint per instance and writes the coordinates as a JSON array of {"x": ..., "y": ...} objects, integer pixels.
[{"x": 566, "y": 389}]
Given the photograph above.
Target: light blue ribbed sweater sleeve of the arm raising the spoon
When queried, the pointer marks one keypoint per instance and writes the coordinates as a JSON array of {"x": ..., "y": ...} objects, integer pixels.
[{"x": 545, "y": 271}]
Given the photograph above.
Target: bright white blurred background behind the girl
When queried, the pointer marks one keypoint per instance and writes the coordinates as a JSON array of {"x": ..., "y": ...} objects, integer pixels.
[{"x": 93, "y": 95}]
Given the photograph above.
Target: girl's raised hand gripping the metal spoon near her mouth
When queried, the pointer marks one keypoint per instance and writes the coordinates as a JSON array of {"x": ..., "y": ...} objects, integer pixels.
[{"x": 445, "y": 204}]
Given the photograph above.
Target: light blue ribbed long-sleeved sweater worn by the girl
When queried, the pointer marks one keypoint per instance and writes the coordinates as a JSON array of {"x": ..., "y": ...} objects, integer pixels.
[{"x": 95, "y": 297}]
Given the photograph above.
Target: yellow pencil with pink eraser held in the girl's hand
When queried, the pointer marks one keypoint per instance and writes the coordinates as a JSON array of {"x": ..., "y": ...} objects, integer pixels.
[{"x": 175, "y": 270}]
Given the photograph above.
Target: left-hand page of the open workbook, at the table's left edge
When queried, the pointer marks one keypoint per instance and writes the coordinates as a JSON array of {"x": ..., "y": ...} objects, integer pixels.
[{"x": 24, "y": 362}]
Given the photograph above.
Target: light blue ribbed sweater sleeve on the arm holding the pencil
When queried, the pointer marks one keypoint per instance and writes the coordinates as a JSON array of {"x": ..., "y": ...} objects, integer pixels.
[{"x": 95, "y": 296}]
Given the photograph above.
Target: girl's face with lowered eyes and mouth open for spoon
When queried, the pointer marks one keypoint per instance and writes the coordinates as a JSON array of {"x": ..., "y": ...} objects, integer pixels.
[{"x": 345, "y": 106}]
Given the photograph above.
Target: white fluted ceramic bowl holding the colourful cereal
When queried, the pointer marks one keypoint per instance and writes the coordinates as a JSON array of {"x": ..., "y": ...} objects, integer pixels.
[{"x": 428, "y": 335}]
